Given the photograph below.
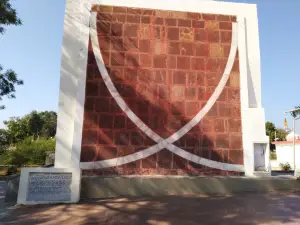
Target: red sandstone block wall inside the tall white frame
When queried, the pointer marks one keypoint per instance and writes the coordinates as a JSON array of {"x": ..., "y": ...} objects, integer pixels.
[{"x": 165, "y": 65}]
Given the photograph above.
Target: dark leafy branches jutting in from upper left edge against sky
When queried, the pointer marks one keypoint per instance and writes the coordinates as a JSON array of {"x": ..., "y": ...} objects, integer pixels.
[{"x": 8, "y": 78}]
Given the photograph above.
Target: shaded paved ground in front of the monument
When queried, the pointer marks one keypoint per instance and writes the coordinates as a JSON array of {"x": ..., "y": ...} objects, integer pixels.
[{"x": 243, "y": 209}]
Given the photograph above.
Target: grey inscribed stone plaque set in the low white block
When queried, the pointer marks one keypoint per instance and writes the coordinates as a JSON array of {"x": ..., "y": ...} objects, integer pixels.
[{"x": 52, "y": 187}]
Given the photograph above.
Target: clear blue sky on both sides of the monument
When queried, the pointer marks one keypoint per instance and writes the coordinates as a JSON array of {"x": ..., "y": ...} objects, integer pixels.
[{"x": 34, "y": 51}]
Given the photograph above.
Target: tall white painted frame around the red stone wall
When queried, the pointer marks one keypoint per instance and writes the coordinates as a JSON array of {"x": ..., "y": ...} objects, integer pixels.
[{"x": 74, "y": 63}]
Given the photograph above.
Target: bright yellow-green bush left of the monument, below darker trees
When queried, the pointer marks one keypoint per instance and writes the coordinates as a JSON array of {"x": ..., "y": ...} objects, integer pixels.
[{"x": 30, "y": 152}]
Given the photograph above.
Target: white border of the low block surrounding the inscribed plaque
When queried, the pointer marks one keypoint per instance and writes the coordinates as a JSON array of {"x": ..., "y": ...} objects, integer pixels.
[{"x": 24, "y": 182}]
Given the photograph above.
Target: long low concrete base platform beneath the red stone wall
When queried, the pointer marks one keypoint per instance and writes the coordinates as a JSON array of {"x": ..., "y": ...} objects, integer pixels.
[{"x": 105, "y": 187}]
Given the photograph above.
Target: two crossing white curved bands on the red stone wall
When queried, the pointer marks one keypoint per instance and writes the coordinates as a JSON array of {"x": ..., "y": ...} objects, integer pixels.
[{"x": 161, "y": 143}]
